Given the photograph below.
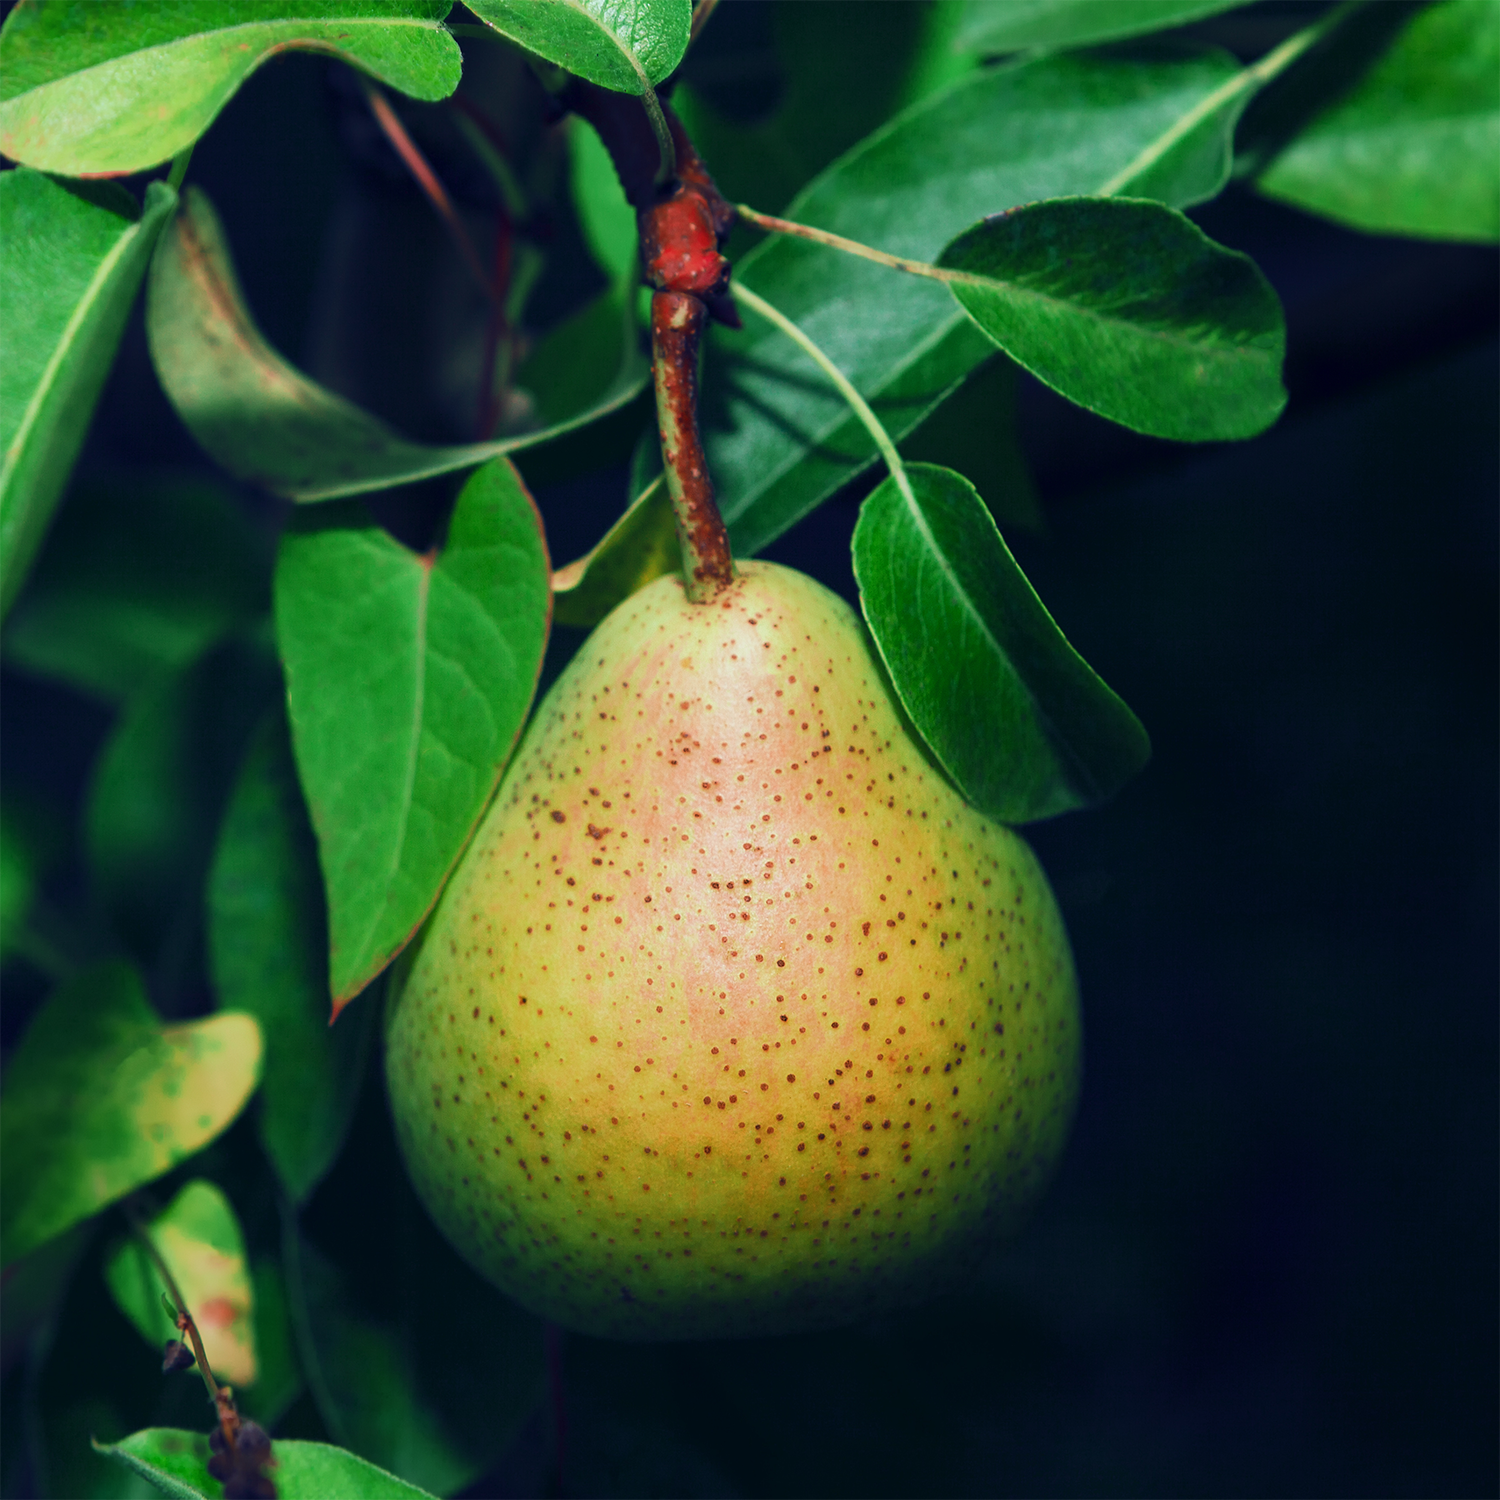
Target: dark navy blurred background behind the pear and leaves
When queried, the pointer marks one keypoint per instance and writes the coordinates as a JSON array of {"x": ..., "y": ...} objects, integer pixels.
[{"x": 1268, "y": 1264}]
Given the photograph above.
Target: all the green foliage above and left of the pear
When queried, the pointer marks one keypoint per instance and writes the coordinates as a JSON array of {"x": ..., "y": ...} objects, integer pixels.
[{"x": 304, "y": 745}]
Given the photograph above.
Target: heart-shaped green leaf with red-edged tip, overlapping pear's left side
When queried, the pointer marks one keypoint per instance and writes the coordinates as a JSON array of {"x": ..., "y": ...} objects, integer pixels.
[{"x": 409, "y": 680}]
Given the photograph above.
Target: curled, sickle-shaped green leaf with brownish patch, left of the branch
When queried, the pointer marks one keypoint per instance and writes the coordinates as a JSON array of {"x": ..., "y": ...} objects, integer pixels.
[{"x": 268, "y": 424}]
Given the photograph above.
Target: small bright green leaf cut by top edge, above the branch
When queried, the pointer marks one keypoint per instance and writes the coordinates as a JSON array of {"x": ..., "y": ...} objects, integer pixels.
[{"x": 619, "y": 44}]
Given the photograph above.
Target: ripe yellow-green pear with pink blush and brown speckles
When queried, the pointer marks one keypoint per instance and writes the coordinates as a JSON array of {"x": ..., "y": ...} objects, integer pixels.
[{"x": 734, "y": 1019}]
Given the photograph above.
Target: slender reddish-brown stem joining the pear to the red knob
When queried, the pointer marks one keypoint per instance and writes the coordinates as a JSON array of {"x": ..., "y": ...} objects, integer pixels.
[{"x": 677, "y": 328}]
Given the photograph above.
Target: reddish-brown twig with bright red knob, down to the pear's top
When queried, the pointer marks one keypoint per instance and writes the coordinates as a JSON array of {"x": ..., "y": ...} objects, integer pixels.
[{"x": 683, "y": 227}]
